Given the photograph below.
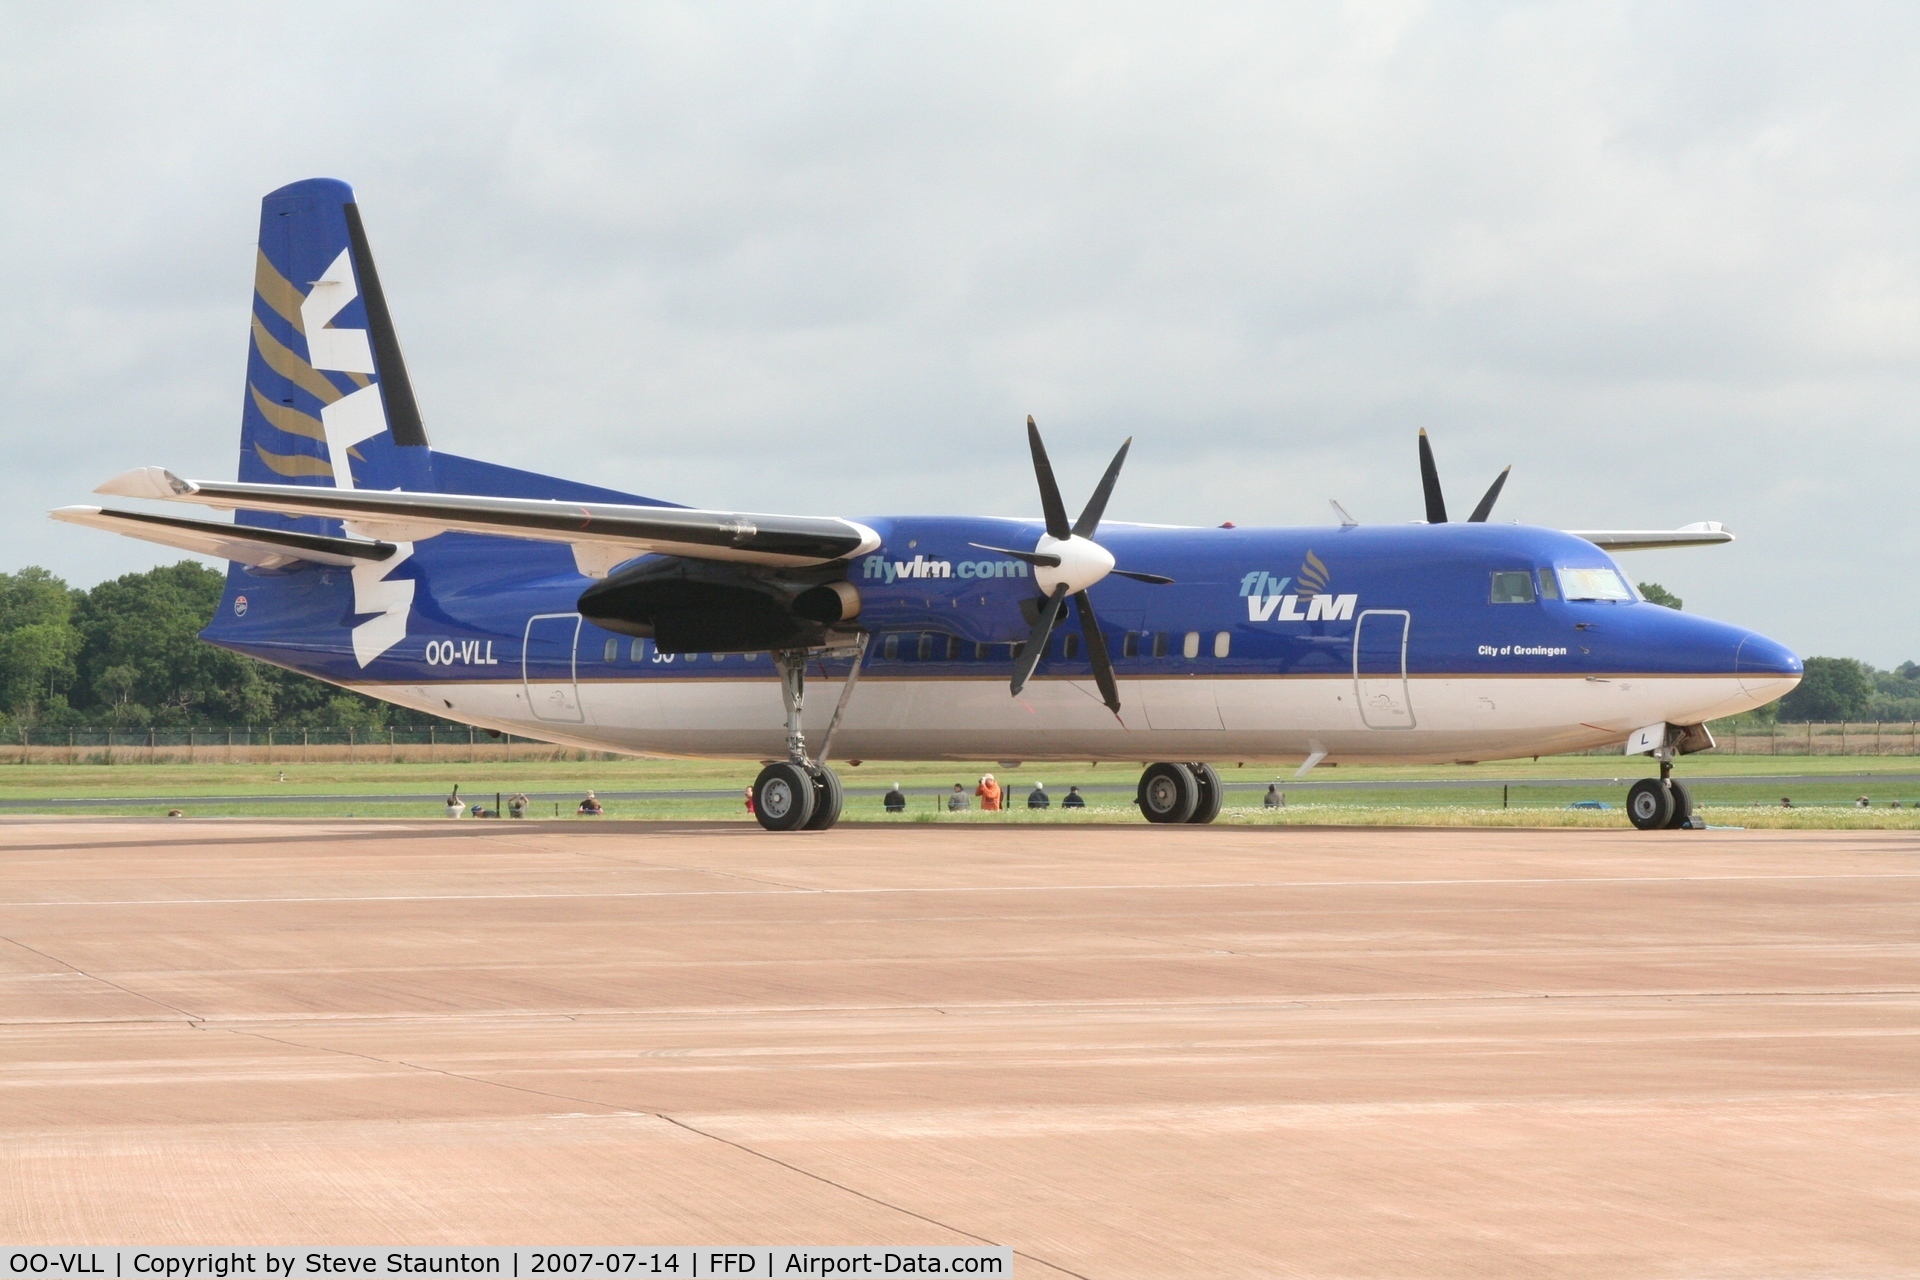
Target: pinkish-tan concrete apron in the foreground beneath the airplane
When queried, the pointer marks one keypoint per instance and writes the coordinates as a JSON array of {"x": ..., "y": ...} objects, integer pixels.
[{"x": 1120, "y": 1051}]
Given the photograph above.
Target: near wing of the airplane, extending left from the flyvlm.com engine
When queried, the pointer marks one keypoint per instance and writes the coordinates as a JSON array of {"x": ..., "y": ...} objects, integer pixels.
[{"x": 602, "y": 534}]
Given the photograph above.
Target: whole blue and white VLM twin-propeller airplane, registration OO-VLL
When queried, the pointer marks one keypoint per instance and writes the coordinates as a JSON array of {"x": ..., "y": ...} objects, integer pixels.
[{"x": 523, "y": 604}]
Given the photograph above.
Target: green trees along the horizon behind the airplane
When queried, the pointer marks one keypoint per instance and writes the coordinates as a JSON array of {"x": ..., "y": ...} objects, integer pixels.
[{"x": 128, "y": 655}]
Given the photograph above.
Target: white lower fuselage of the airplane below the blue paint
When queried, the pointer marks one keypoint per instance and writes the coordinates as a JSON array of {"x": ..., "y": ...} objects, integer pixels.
[{"x": 1431, "y": 719}]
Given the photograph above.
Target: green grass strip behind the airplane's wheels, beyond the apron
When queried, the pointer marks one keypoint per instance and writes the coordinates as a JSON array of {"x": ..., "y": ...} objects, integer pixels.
[{"x": 1731, "y": 790}]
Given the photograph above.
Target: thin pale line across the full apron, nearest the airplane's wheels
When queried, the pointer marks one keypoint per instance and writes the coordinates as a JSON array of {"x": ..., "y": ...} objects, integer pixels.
[{"x": 990, "y": 889}]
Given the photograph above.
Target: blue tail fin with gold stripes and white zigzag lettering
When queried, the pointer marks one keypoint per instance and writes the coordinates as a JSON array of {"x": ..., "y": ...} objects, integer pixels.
[{"x": 327, "y": 400}]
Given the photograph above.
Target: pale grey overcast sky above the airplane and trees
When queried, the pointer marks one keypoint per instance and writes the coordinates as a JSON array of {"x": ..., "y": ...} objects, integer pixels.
[{"x": 1666, "y": 260}]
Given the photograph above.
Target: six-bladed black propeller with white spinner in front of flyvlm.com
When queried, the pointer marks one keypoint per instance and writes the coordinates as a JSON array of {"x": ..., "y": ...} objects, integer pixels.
[{"x": 1067, "y": 563}]
